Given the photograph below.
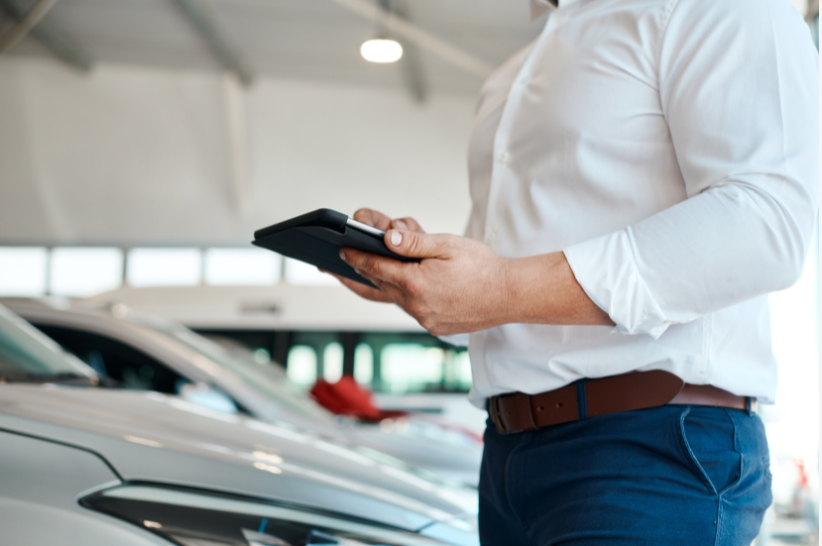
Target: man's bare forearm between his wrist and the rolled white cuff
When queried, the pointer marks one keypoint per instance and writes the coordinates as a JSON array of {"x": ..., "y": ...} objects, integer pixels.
[{"x": 543, "y": 290}]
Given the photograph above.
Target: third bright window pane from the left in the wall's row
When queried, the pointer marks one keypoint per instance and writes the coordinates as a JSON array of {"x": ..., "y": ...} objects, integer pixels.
[{"x": 164, "y": 267}]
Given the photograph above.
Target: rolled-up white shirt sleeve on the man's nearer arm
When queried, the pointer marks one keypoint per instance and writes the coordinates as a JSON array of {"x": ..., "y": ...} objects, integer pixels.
[{"x": 739, "y": 88}]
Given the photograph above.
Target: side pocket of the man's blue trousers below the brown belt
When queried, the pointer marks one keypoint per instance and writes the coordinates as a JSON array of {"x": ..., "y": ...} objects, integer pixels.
[{"x": 708, "y": 437}]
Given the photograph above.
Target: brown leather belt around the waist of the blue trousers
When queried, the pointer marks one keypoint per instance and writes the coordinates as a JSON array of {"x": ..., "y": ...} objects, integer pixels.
[{"x": 520, "y": 412}]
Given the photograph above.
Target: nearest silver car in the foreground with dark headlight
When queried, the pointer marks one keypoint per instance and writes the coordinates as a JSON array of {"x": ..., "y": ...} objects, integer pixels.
[{"x": 84, "y": 465}]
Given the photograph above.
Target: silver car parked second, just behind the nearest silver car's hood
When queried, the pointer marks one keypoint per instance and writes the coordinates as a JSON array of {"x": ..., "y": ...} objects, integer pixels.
[{"x": 152, "y": 353}]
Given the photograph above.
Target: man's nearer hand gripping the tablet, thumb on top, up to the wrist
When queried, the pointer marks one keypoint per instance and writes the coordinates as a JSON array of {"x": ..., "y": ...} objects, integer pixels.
[{"x": 459, "y": 286}]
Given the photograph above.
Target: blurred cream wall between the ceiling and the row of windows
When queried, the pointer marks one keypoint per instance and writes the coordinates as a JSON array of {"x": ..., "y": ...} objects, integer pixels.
[{"x": 136, "y": 155}]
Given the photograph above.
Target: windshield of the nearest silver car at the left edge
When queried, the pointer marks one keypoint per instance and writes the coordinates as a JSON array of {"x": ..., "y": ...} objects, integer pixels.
[{"x": 28, "y": 355}]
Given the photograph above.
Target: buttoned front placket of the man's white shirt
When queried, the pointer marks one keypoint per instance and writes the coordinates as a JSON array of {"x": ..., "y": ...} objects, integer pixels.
[{"x": 500, "y": 170}]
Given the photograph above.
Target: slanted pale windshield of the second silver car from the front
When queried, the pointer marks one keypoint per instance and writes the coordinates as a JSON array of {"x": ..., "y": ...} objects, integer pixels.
[{"x": 266, "y": 378}]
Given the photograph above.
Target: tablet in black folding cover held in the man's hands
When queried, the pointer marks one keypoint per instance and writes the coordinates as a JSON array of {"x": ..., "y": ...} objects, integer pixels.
[{"x": 317, "y": 237}]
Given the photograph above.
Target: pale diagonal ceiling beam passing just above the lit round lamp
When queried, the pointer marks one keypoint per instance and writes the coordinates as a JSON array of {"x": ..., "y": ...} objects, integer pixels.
[{"x": 413, "y": 33}]
